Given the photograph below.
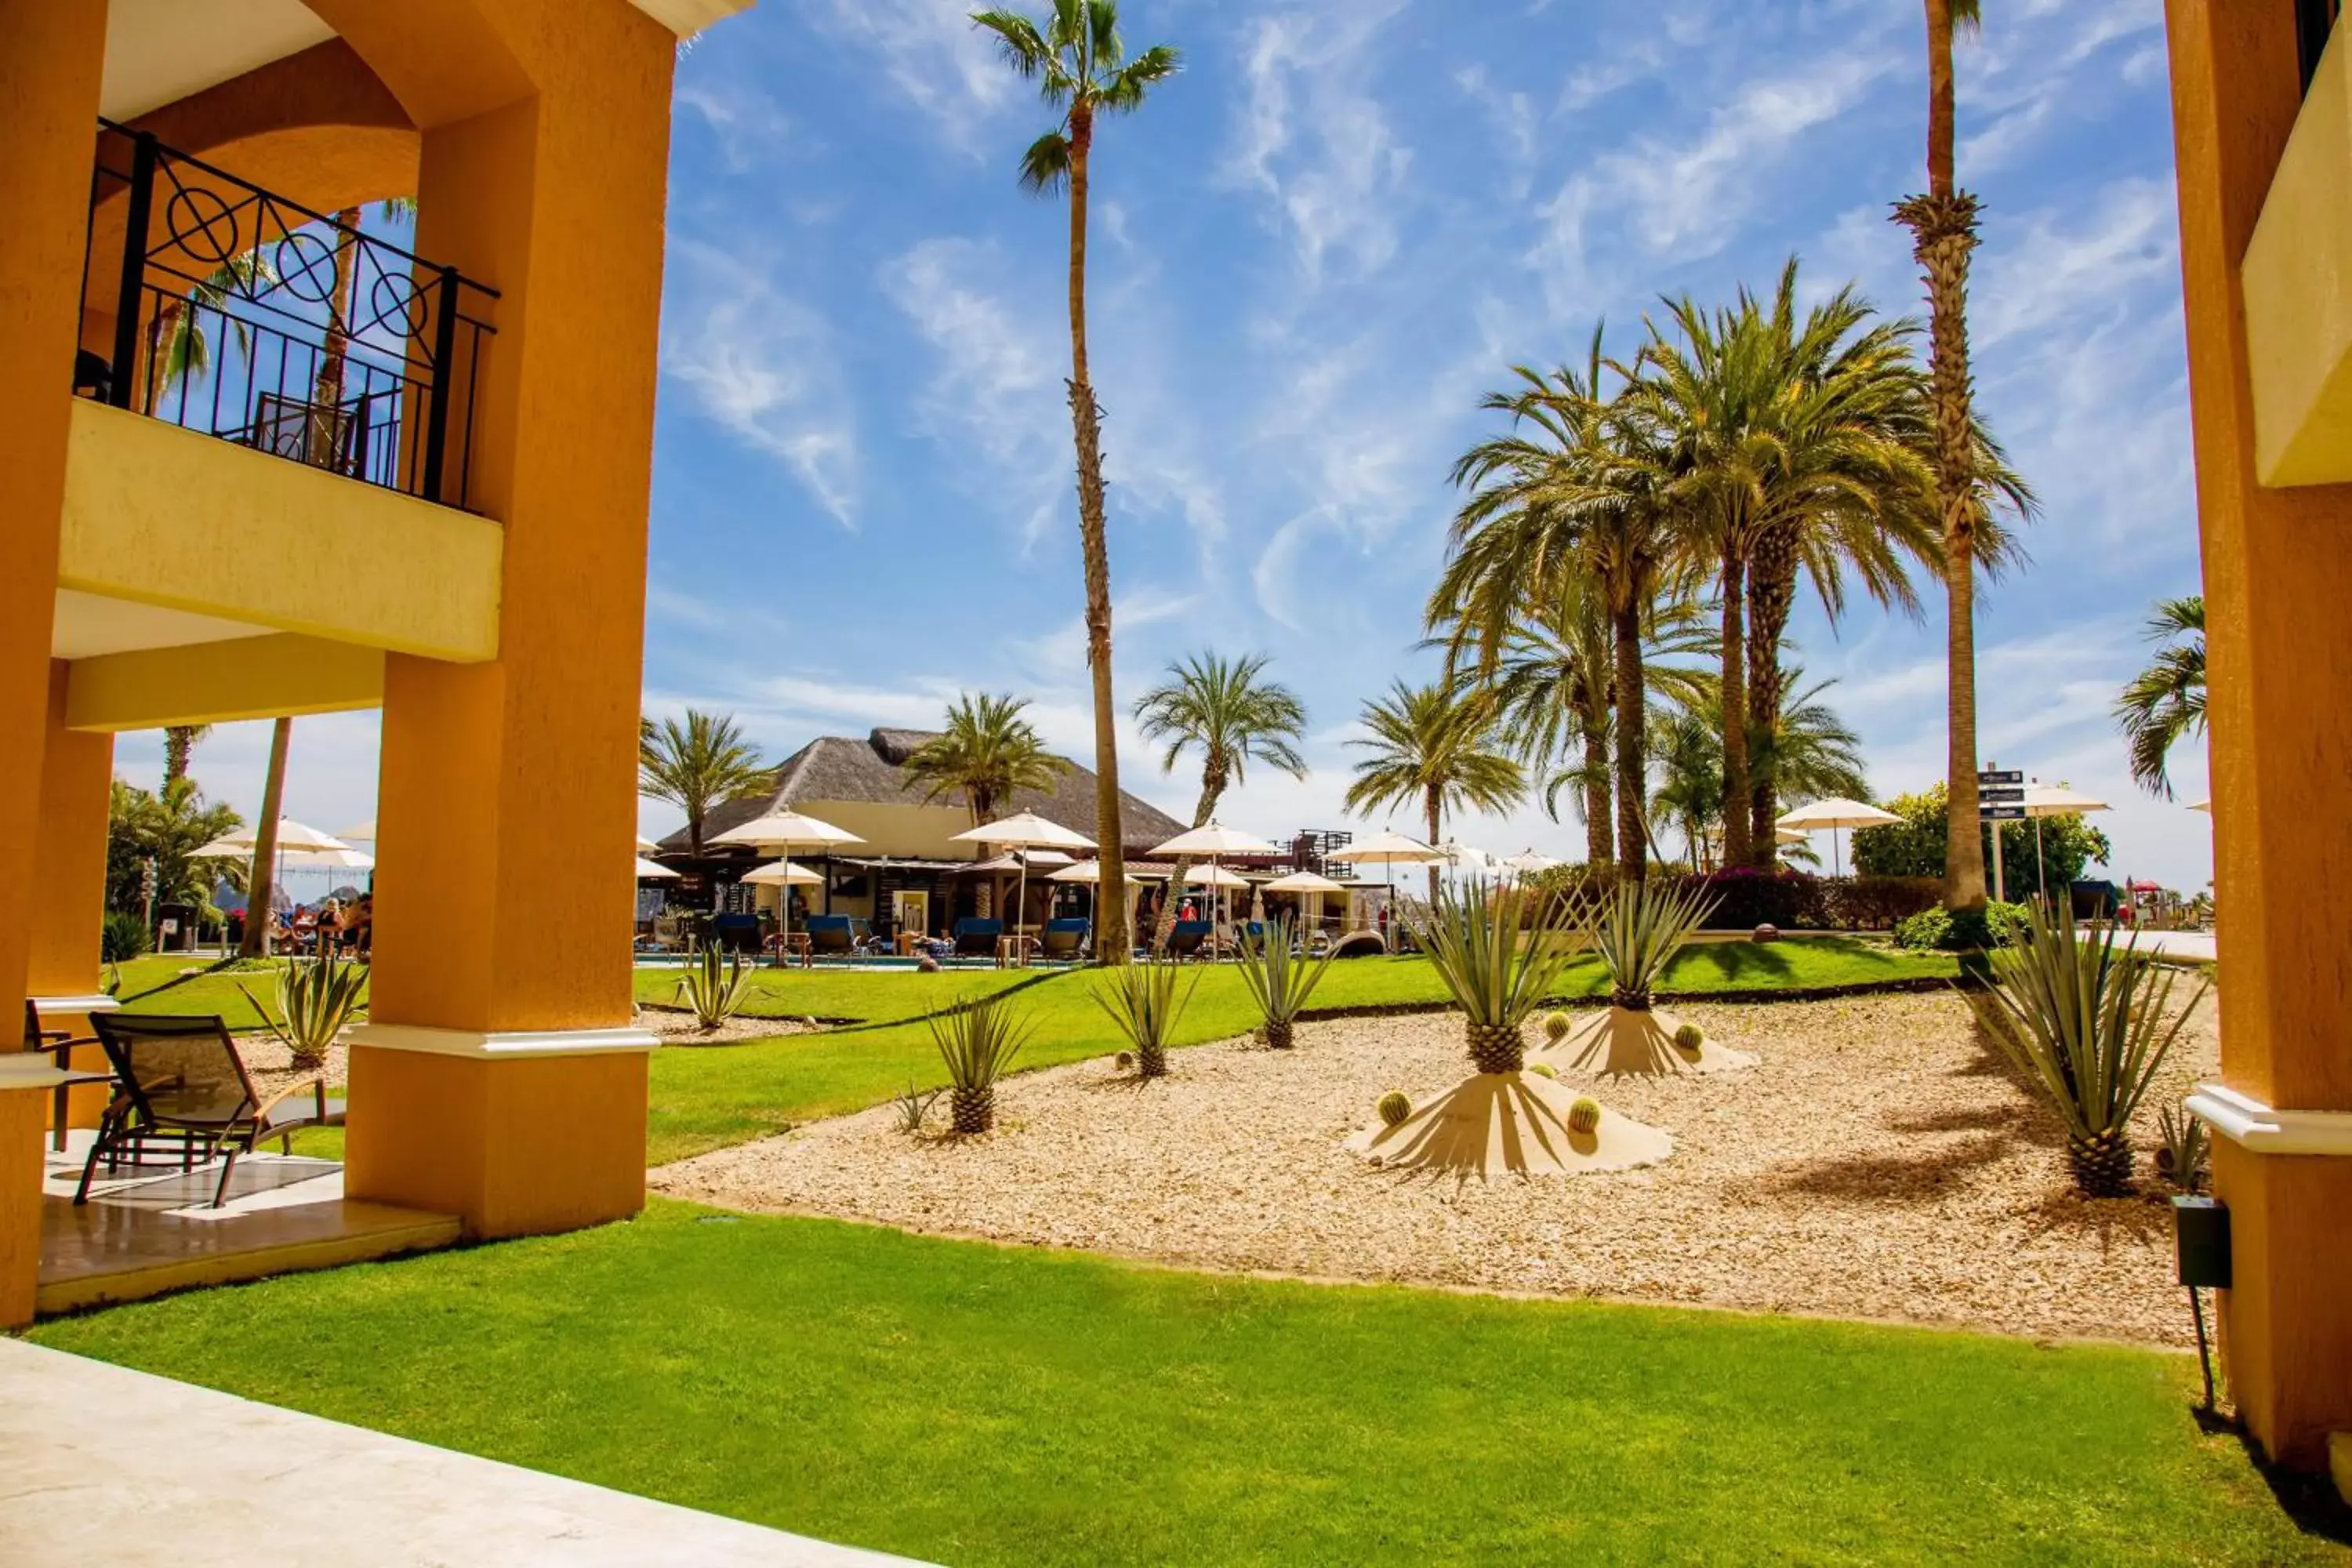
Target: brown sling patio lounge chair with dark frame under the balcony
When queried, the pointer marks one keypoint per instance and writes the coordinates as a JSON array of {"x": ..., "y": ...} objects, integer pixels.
[{"x": 182, "y": 1085}]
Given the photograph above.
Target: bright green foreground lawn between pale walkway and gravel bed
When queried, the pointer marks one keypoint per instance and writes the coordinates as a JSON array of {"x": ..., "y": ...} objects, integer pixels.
[{"x": 977, "y": 1405}]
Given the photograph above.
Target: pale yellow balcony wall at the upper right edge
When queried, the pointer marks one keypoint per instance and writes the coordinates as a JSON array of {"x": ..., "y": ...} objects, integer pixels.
[{"x": 2299, "y": 293}]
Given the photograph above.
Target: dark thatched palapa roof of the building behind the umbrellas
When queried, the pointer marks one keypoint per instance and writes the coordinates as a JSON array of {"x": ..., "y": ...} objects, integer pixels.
[{"x": 874, "y": 772}]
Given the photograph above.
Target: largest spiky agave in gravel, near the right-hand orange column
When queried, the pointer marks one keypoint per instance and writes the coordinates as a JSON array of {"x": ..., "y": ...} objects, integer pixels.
[{"x": 2085, "y": 1024}]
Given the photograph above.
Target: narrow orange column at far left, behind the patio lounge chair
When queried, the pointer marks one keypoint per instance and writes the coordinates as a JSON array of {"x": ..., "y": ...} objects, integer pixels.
[{"x": 69, "y": 887}]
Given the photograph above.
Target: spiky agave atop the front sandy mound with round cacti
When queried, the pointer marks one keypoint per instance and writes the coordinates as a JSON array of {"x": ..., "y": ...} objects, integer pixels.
[{"x": 1499, "y": 951}]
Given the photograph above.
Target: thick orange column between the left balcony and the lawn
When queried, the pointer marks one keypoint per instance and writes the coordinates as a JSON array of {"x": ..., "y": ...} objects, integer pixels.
[{"x": 500, "y": 1073}]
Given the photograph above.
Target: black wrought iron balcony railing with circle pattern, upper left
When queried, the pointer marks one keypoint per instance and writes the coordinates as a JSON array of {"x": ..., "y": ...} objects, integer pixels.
[{"x": 227, "y": 309}]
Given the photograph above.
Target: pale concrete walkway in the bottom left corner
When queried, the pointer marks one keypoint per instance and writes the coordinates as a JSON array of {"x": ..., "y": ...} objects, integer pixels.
[{"x": 107, "y": 1466}]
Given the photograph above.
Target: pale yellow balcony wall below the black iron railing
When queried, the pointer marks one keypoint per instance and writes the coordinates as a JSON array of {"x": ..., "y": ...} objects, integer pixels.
[{"x": 196, "y": 523}]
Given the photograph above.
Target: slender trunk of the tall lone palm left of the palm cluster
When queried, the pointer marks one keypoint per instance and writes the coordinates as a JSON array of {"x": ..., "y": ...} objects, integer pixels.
[{"x": 1111, "y": 942}]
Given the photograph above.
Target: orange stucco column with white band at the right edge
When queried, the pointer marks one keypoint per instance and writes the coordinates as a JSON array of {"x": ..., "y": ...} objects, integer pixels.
[{"x": 2278, "y": 572}]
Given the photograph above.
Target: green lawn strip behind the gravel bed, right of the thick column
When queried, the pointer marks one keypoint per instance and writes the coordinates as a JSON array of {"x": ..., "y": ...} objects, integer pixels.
[{"x": 707, "y": 1099}]
